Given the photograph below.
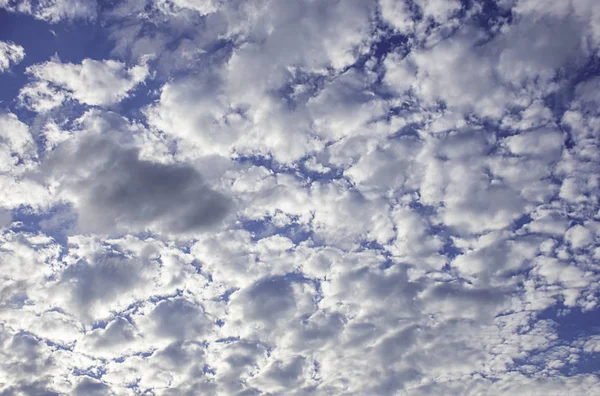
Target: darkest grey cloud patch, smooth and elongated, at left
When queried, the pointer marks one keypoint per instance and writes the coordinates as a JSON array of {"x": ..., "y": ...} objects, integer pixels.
[{"x": 116, "y": 190}]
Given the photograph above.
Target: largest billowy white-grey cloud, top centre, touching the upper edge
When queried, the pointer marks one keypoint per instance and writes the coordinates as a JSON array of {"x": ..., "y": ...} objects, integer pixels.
[{"x": 225, "y": 110}]
